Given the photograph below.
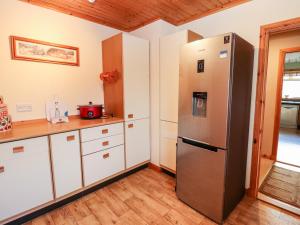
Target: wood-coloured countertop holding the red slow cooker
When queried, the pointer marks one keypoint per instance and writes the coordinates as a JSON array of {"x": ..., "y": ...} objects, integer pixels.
[{"x": 37, "y": 128}]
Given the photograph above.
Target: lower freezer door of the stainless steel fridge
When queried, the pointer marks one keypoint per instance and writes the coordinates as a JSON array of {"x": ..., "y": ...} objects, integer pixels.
[{"x": 200, "y": 179}]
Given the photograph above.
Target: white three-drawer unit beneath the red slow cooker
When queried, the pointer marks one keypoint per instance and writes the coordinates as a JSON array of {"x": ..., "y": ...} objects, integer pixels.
[{"x": 104, "y": 156}]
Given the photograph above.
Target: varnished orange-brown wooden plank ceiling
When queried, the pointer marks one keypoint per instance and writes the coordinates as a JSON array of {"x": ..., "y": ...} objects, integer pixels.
[{"x": 128, "y": 15}]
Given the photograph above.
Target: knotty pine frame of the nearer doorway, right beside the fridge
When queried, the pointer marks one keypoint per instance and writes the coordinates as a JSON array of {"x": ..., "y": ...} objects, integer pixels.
[{"x": 265, "y": 32}]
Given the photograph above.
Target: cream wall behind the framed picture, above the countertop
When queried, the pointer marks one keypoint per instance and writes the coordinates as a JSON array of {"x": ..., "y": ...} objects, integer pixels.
[{"x": 35, "y": 83}]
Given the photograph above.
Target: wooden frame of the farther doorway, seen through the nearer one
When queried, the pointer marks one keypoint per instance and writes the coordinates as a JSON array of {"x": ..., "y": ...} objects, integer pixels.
[{"x": 282, "y": 54}]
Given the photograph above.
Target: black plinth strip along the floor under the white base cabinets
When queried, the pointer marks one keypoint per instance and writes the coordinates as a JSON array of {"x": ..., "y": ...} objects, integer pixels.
[{"x": 48, "y": 208}]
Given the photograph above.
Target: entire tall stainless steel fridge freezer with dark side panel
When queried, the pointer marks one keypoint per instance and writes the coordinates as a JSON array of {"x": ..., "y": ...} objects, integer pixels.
[{"x": 213, "y": 125}]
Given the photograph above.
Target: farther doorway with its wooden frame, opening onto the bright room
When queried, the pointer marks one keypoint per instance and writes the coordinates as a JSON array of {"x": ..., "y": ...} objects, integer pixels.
[{"x": 286, "y": 145}]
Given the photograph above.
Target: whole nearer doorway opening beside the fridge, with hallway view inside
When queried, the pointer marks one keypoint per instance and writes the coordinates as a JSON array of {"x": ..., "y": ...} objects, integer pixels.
[{"x": 279, "y": 159}]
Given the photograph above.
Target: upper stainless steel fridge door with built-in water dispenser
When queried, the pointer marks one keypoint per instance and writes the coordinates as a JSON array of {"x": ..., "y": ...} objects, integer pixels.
[{"x": 204, "y": 90}]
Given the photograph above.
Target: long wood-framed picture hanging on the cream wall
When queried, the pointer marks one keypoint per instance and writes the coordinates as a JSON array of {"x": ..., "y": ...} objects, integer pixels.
[{"x": 41, "y": 51}]
